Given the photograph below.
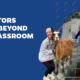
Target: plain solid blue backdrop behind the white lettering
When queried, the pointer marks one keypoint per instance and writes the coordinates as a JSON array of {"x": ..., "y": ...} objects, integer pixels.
[{"x": 19, "y": 57}]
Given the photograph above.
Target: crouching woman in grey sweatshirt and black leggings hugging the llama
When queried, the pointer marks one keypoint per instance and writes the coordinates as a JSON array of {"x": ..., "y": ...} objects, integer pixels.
[{"x": 46, "y": 55}]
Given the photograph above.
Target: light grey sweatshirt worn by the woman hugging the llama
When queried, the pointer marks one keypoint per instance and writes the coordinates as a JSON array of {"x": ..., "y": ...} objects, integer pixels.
[{"x": 45, "y": 53}]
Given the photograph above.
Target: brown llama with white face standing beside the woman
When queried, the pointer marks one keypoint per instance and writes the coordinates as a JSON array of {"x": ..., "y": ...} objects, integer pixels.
[{"x": 64, "y": 48}]
